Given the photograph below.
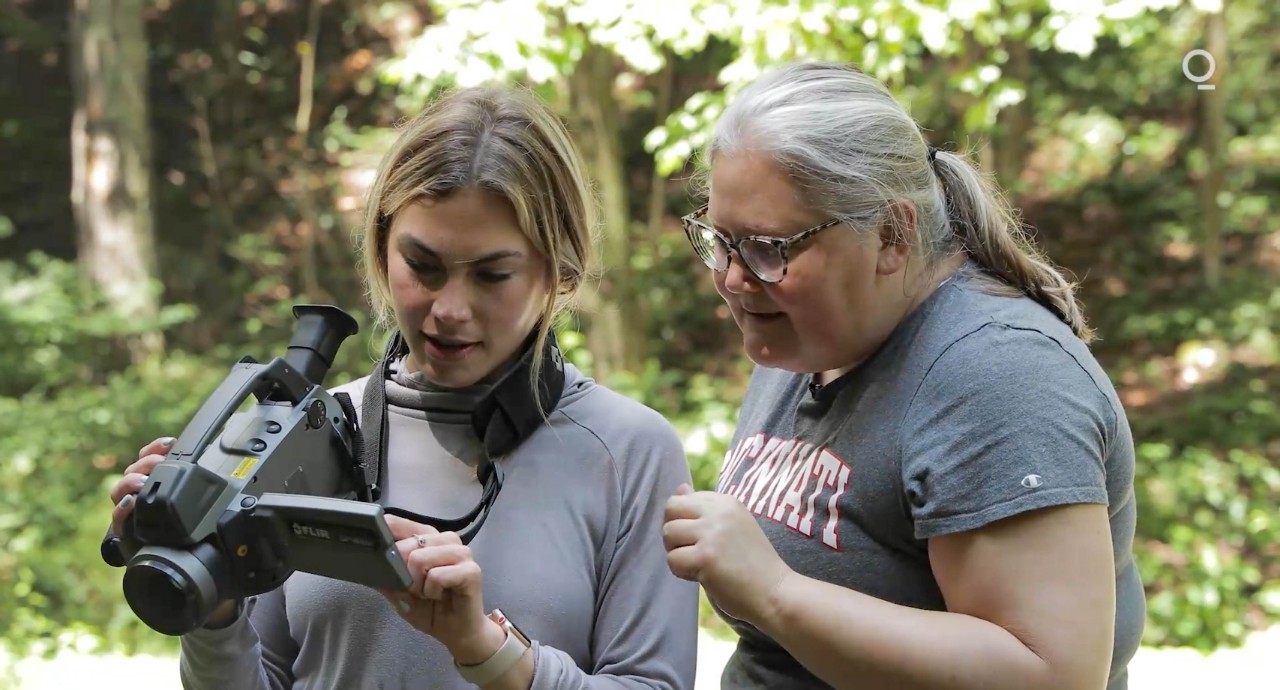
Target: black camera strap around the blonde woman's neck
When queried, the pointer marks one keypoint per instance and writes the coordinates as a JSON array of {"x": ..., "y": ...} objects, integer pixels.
[{"x": 502, "y": 419}]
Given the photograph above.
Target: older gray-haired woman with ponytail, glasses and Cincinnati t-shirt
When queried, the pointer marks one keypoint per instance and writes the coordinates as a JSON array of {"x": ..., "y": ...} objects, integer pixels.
[{"x": 931, "y": 483}]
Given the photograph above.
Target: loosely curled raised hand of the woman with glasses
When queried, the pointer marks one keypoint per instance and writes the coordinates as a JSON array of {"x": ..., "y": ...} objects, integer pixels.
[{"x": 714, "y": 540}]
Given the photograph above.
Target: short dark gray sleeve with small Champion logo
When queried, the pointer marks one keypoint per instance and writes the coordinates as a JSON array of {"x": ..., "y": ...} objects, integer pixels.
[{"x": 1005, "y": 422}]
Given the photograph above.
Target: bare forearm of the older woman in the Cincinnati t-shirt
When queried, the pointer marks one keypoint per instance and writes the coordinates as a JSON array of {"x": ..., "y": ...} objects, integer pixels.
[{"x": 853, "y": 641}]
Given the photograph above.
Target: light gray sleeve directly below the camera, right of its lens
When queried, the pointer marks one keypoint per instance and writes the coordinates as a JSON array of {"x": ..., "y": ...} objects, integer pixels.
[{"x": 254, "y": 654}]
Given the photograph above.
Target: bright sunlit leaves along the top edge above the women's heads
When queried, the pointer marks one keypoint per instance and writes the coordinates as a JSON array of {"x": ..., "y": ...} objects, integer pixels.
[{"x": 541, "y": 40}]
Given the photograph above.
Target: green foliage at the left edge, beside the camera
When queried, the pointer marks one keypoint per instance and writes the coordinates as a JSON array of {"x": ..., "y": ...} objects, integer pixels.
[{"x": 67, "y": 428}]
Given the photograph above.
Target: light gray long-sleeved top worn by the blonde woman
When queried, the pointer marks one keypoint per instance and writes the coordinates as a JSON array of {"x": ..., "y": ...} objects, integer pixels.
[{"x": 572, "y": 552}]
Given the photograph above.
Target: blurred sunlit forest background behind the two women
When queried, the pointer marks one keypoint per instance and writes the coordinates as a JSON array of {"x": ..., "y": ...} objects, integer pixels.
[{"x": 176, "y": 175}]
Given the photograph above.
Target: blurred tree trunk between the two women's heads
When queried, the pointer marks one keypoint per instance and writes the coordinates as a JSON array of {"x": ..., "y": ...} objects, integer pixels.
[{"x": 616, "y": 332}]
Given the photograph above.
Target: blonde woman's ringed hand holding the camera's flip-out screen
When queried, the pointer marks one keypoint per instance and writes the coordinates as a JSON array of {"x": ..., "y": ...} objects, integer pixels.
[{"x": 446, "y": 600}]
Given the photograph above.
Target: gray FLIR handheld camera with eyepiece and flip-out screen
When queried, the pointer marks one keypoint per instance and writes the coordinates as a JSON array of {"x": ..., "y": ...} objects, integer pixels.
[{"x": 245, "y": 499}]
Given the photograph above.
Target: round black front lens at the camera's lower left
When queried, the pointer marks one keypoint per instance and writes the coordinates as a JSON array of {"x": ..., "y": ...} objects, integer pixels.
[{"x": 171, "y": 591}]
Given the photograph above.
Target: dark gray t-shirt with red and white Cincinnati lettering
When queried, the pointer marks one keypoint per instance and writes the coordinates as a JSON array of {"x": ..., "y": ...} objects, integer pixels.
[{"x": 977, "y": 409}]
